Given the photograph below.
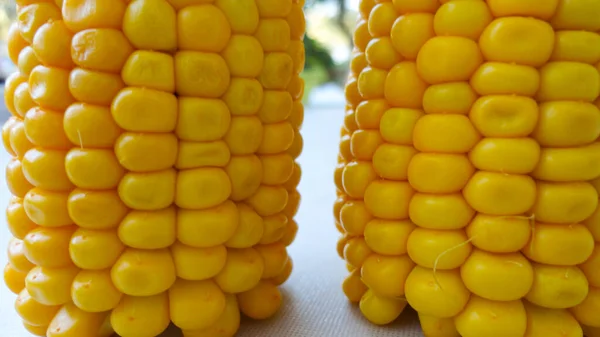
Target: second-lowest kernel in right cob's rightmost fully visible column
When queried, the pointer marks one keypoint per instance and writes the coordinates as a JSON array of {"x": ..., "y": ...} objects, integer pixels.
[{"x": 557, "y": 287}]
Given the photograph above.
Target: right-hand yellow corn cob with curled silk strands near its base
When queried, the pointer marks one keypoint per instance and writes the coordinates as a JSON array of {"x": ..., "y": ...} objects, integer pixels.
[{"x": 469, "y": 164}]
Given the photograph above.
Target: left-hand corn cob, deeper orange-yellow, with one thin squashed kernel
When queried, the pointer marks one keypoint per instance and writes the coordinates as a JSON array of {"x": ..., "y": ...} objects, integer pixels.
[{"x": 153, "y": 171}]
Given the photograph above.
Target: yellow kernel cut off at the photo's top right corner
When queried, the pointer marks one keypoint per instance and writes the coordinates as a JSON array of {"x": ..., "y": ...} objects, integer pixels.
[{"x": 579, "y": 15}]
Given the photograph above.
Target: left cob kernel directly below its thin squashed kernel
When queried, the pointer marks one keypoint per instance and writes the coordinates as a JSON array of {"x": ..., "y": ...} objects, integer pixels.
[{"x": 202, "y": 188}]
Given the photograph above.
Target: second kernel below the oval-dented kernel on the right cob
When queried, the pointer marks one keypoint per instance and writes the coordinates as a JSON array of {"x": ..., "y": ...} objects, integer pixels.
[{"x": 500, "y": 194}]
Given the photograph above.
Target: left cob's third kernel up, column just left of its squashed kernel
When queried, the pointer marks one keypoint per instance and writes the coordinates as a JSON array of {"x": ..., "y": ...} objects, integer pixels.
[{"x": 148, "y": 229}]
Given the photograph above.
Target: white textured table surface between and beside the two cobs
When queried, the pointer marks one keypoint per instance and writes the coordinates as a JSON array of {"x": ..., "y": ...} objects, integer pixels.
[{"x": 314, "y": 304}]
